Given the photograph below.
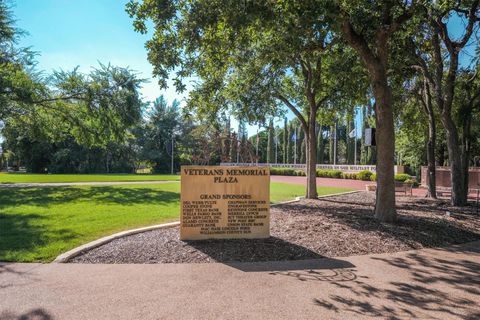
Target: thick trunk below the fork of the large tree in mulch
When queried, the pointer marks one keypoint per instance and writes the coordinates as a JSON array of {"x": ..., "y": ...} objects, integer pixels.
[{"x": 385, "y": 140}]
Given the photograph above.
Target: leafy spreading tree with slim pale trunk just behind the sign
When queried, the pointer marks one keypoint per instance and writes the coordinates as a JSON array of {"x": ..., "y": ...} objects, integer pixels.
[{"x": 251, "y": 56}]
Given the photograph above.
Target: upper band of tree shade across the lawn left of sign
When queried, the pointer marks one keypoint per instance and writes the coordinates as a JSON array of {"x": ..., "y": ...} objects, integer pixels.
[{"x": 97, "y": 194}]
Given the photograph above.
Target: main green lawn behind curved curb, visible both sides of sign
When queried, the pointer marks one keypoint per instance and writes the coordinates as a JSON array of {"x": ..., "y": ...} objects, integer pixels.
[{"x": 38, "y": 224}]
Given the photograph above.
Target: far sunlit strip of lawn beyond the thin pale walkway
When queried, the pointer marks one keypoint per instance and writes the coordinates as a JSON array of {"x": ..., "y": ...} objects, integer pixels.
[{"x": 40, "y": 178}]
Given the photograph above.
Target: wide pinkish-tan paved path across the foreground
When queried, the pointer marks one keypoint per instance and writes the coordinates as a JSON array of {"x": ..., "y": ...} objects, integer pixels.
[{"x": 422, "y": 284}]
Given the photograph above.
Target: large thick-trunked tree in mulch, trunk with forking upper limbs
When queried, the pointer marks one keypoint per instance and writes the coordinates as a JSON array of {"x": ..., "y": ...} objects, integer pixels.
[{"x": 369, "y": 27}]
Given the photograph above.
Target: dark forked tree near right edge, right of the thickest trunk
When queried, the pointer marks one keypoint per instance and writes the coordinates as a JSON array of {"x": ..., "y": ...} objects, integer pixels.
[{"x": 439, "y": 62}]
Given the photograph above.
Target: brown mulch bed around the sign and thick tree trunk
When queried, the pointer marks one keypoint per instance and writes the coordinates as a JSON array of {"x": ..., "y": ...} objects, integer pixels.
[{"x": 331, "y": 227}]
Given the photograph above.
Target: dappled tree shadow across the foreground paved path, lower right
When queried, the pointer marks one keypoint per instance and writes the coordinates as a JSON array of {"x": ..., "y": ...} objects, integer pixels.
[{"x": 427, "y": 292}]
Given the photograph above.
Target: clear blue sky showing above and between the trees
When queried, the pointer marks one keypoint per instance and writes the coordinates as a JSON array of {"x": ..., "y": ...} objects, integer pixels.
[{"x": 68, "y": 33}]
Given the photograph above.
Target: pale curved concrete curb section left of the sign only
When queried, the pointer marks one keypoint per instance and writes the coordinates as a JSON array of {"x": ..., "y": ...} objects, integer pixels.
[{"x": 64, "y": 257}]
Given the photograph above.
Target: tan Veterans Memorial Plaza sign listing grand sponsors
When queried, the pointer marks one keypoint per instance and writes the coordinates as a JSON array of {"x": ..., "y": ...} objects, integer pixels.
[{"x": 222, "y": 202}]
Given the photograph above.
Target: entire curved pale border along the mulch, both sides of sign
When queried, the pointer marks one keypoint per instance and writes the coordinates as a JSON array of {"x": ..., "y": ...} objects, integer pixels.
[{"x": 64, "y": 257}]
